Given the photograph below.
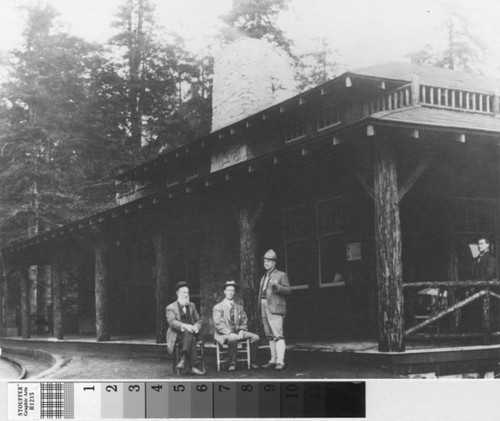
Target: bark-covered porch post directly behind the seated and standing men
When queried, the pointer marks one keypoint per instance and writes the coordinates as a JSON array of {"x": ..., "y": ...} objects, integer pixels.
[{"x": 247, "y": 219}]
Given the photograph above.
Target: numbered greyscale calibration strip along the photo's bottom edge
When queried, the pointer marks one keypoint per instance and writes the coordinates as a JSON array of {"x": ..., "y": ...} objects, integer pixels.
[{"x": 373, "y": 400}]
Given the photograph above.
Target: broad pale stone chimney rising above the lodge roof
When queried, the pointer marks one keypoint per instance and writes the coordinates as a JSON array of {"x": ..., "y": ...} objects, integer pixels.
[{"x": 249, "y": 76}]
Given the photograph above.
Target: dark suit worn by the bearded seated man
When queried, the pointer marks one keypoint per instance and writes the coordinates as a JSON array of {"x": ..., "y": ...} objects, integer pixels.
[{"x": 175, "y": 332}]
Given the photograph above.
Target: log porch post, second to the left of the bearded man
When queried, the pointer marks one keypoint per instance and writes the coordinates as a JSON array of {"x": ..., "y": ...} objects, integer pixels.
[{"x": 101, "y": 291}]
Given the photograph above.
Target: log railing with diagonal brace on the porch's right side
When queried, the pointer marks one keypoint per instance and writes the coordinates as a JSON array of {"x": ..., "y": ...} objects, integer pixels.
[{"x": 478, "y": 290}]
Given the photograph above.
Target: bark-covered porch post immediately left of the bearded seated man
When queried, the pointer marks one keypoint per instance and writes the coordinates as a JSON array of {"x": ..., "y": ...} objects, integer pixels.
[{"x": 161, "y": 286}]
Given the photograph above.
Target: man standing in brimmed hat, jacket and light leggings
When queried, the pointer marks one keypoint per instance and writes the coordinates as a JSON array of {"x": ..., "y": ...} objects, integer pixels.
[{"x": 274, "y": 287}]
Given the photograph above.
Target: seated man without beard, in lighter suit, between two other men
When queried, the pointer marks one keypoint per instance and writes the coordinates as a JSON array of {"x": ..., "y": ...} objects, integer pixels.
[{"x": 231, "y": 326}]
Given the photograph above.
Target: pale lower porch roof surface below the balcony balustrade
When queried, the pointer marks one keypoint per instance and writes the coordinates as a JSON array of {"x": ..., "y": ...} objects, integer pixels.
[{"x": 424, "y": 116}]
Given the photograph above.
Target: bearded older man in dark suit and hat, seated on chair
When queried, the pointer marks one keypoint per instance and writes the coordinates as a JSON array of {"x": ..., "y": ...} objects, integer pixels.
[{"x": 184, "y": 324}]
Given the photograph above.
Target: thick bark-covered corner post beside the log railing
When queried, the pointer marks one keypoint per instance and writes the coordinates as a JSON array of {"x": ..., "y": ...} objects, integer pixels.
[{"x": 388, "y": 249}]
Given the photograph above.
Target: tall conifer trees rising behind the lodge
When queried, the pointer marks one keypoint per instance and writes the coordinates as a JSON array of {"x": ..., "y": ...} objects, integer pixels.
[{"x": 74, "y": 114}]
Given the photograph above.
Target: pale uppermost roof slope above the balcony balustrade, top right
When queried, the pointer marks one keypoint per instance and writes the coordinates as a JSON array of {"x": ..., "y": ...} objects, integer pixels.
[{"x": 431, "y": 76}]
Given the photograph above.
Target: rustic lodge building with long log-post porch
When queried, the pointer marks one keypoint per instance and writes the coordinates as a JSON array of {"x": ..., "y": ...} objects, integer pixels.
[{"x": 371, "y": 188}]
